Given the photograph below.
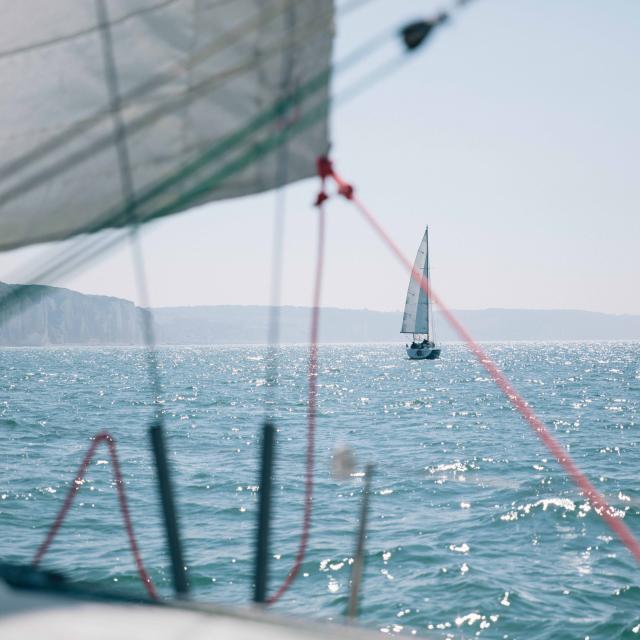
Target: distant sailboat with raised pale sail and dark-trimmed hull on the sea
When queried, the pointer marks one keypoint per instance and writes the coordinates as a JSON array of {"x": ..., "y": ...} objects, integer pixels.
[{"x": 417, "y": 310}]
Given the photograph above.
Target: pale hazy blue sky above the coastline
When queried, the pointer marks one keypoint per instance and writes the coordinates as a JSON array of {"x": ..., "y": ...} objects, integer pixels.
[{"x": 515, "y": 135}]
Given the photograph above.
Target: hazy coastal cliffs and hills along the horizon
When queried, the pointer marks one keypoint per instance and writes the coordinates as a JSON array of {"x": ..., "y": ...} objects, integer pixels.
[{"x": 56, "y": 316}]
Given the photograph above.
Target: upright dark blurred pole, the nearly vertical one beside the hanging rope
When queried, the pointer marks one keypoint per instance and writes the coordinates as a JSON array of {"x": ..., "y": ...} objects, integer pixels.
[{"x": 264, "y": 514}]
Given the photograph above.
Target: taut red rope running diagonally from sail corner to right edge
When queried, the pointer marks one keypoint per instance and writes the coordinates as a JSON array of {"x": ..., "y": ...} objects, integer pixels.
[{"x": 596, "y": 499}]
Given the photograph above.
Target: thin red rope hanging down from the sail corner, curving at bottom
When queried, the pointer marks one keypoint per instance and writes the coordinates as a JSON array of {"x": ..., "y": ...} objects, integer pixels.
[{"x": 312, "y": 404}]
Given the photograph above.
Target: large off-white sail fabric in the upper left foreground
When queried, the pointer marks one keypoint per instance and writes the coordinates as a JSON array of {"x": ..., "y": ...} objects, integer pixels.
[{"x": 120, "y": 111}]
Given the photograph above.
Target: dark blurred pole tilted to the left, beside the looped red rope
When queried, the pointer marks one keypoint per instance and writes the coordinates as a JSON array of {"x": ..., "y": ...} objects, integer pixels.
[{"x": 169, "y": 510}]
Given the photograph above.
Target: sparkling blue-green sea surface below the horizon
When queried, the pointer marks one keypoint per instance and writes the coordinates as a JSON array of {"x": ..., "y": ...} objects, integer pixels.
[{"x": 474, "y": 529}]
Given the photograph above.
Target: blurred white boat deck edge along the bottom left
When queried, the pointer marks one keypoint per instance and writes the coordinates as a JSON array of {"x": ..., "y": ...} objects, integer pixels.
[{"x": 37, "y": 614}]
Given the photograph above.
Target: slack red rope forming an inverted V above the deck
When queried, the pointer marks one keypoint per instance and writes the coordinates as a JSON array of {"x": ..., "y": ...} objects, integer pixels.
[{"x": 73, "y": 490}]
